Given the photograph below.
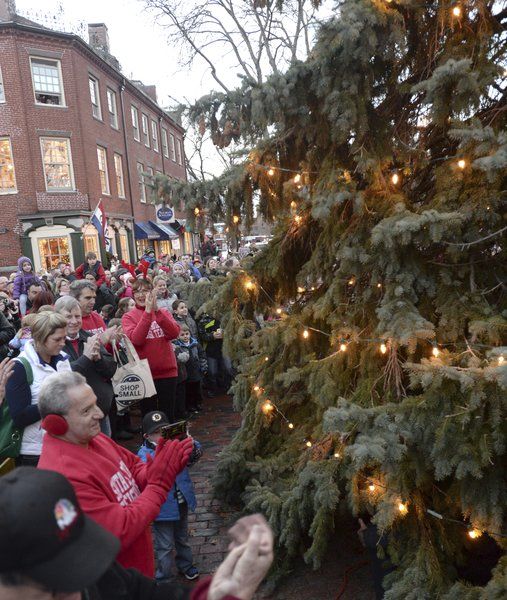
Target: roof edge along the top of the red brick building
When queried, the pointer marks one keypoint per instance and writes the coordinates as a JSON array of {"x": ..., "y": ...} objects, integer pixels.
[{"x": 27, "y": 25}]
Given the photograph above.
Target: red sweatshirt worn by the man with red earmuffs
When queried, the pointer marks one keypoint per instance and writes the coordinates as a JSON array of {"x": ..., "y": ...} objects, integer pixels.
[{"x": 110, "y": 484}]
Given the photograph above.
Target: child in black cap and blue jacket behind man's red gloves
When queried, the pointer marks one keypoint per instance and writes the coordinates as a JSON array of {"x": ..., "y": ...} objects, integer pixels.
[{"x": 170, "y": 529}]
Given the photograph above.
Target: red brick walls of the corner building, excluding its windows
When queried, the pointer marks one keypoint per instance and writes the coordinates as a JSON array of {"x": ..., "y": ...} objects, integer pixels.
[{"x": 24, "y": 123}]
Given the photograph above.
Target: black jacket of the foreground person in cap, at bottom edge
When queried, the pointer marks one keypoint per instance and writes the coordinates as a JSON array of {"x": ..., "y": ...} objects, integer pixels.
[{"x": 128, "y": 584}]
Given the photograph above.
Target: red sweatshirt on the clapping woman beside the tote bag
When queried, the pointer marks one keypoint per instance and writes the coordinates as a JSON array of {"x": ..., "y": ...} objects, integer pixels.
[{"x": 151, "y": 334}]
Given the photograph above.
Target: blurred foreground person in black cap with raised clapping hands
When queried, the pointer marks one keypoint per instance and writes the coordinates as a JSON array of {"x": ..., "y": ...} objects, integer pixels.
[{"x": 50, "y": 550}]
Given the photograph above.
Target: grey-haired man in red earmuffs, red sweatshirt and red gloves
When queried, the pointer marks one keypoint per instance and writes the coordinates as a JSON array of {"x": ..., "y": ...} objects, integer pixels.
[{"x": 114, "y": 487}]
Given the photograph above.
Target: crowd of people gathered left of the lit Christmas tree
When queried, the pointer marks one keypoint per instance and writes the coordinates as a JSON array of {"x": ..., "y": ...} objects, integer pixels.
[{"x": 61, "y": 334}]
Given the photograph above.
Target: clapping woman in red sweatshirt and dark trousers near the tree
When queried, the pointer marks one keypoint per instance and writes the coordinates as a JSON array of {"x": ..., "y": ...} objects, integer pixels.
[{"x": 151, "y": 330}]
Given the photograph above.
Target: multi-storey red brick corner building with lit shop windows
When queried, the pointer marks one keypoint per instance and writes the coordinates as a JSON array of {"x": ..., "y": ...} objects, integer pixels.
[{"x": 74, "y": 130}]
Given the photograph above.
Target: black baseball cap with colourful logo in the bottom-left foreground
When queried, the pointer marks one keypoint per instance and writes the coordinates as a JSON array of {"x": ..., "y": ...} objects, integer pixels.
[{"x": 45, "y": 535}]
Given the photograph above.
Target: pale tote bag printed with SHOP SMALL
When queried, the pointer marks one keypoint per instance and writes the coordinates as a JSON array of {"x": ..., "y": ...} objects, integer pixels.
[{"x": 132, "y": 381}]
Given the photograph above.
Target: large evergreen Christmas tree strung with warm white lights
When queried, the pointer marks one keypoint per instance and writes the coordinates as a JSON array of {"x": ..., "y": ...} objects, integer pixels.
[{"x": 378, "y": 381}]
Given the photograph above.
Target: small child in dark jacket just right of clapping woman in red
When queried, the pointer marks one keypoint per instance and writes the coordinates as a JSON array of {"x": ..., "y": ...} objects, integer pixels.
[{"x": 196, "y": 369}]
